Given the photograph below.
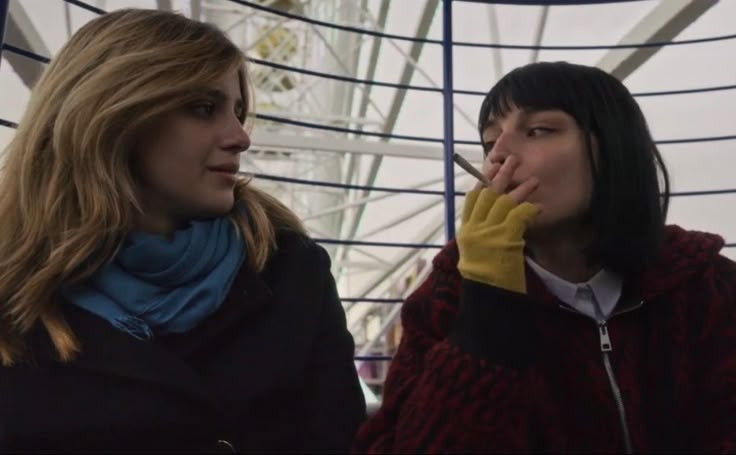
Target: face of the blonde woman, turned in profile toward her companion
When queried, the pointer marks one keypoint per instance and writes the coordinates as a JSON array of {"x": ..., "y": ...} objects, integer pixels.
[{"x": 188, "y": 166}]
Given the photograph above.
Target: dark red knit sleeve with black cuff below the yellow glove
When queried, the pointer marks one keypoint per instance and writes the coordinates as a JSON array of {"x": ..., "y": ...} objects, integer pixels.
[{"x": 460, "y": 378}]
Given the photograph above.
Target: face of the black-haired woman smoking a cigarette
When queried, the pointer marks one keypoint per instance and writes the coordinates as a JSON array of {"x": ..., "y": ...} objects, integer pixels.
[{"x": 550, "y": 146}]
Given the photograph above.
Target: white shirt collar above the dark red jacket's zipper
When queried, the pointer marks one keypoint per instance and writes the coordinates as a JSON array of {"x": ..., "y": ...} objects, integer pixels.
[{"x": 596, "y": 298}]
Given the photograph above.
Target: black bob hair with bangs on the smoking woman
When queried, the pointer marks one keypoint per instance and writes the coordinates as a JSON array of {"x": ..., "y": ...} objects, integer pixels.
[{"x": 631, "y": 187}]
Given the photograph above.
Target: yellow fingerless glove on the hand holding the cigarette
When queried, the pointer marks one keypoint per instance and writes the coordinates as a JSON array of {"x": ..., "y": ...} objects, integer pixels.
[{"x": 491, "y": 239}]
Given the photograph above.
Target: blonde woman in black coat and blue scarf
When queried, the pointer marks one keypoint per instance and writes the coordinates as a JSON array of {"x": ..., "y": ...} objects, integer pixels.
[{"x": 151, "y": 299}]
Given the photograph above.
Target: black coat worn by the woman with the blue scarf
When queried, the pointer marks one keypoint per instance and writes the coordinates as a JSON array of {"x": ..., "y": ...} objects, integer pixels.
[{"x": 272, "y": 370}]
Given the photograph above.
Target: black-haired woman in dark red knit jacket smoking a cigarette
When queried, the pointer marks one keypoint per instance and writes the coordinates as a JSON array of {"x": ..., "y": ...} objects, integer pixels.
[{"x": 566, "y": 316}]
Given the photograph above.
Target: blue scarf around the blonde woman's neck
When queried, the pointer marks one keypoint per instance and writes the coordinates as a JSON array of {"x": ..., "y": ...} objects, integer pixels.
[{"x": 155, "y": 285}]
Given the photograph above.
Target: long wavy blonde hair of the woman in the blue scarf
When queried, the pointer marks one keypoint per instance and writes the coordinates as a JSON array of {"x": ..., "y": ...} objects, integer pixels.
[{"x": 67, "y": 195}]
